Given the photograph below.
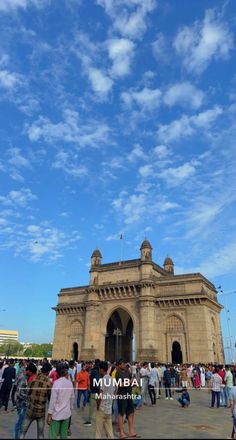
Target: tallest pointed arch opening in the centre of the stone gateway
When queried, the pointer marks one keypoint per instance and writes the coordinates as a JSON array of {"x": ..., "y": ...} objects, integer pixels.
[{"x": 119, "y": 336}]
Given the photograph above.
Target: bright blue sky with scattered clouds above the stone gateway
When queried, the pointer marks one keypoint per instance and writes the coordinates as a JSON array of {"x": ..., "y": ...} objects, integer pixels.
[{"x": 116, "y": 116}]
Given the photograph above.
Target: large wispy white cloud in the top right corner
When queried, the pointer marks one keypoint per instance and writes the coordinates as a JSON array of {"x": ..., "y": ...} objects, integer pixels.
[{"x": 203, "y": 42}]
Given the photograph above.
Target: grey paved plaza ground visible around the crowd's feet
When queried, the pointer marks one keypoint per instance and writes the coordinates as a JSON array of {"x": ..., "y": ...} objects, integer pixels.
[{"x": 166, "y": 420}]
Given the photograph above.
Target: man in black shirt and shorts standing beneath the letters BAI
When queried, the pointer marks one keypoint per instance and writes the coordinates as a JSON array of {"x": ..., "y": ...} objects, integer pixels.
[{"x": 125, "y": 402}]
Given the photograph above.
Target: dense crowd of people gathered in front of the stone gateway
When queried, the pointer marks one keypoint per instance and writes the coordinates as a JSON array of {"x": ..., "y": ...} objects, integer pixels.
[{"x": 44, "y": 391}]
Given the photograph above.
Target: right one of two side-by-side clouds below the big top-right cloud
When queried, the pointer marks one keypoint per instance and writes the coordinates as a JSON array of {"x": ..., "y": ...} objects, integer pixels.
[{"x": 184, "y": 94}]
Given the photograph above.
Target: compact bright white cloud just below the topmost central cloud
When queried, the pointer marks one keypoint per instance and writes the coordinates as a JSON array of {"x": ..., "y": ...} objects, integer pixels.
[{"x": 121, "y": 53}]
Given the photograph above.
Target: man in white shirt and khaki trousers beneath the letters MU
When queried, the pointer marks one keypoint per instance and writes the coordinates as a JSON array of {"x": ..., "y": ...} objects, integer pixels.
[{"x": 104, "y": 404}]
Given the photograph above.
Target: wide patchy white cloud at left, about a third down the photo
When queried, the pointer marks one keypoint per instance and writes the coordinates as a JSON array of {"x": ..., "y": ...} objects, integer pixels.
[{"x": 71, "y": 130}]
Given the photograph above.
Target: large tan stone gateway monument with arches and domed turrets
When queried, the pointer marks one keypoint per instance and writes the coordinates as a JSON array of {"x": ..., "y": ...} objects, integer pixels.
[{"x": 140, "y": 311}]
